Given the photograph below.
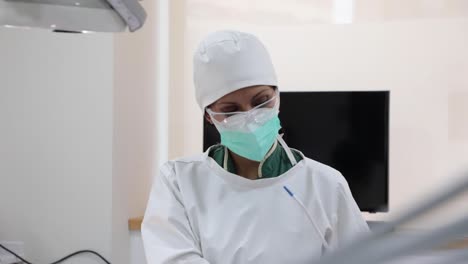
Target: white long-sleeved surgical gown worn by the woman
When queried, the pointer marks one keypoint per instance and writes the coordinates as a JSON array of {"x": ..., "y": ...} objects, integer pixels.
[{"x": 200, "y": 213}]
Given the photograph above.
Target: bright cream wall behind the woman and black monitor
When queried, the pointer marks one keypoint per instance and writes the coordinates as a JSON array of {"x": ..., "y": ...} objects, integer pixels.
[{"x": 421, "y": 58}]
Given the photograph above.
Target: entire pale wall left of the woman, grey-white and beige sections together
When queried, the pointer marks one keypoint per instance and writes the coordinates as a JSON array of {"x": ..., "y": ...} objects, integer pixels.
[{"x": 79, "y": 114}]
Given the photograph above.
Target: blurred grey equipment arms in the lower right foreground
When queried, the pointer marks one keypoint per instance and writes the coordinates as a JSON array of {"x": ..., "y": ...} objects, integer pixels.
[{"x": 380, "y": 246}]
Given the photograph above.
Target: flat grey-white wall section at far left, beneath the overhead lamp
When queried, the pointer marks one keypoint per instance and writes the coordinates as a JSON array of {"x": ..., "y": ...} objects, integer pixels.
[{"x": 56, "y": 115}]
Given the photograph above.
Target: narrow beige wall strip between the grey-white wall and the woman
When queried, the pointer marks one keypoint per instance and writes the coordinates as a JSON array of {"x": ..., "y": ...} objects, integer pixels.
[{"x": 135, "y": 129}]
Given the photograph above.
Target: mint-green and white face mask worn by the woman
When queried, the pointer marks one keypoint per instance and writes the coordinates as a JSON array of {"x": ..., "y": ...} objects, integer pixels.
[{"x": 250, "y": 134}]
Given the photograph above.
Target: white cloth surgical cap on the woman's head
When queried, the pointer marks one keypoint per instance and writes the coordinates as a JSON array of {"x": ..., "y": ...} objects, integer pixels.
[{"x": 226, "y": 61}]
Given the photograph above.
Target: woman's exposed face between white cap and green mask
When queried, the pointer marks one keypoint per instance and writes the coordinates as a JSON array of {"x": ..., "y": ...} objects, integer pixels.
[{"x": 244, "y": 99}]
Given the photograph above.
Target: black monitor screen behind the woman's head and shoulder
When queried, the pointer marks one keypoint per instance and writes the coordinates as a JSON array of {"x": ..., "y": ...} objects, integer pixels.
[{"x": 345, "y": 130}]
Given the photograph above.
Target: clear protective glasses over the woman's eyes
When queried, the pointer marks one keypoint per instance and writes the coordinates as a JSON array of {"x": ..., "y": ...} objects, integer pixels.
[{"x": 231, "y": 117}]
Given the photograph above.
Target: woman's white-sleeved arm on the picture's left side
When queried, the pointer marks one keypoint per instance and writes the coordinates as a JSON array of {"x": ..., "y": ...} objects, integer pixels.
[{"x": 166, "y": 231}]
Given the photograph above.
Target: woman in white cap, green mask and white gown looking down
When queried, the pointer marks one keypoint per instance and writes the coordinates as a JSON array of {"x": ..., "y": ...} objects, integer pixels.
[{"x": 250, "y": 199}]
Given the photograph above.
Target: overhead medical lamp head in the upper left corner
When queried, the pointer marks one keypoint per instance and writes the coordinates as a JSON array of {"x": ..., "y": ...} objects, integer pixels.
[{"x": 77, "y": 16}]
